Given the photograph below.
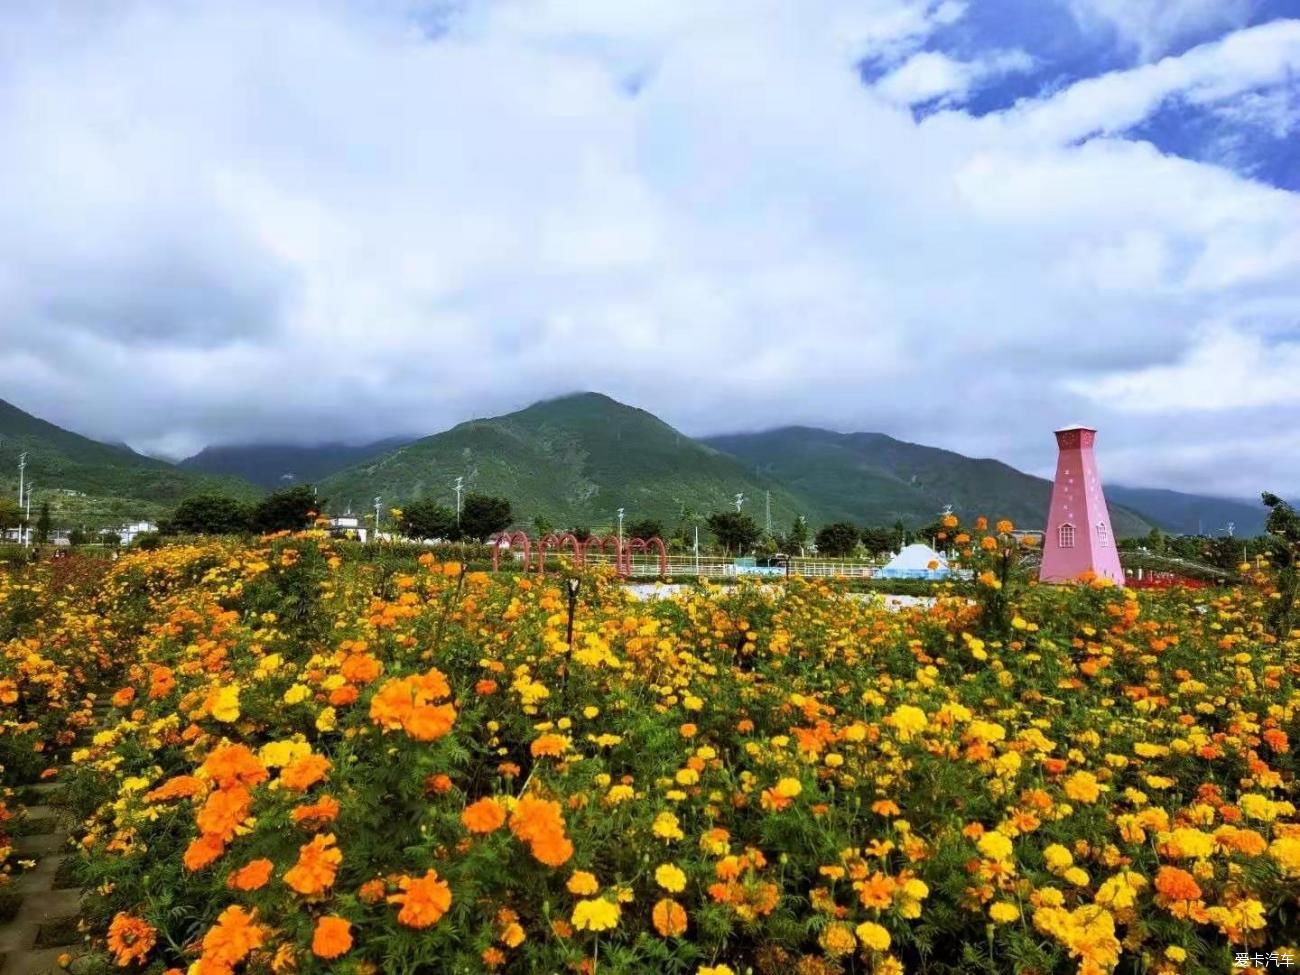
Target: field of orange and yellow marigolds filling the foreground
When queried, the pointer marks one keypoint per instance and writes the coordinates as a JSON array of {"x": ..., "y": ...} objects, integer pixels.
[{"x": 315, "y": 764}]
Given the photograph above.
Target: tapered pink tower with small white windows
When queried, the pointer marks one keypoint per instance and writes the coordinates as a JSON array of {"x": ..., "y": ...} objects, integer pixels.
[{"x": 1078, "y": 539}]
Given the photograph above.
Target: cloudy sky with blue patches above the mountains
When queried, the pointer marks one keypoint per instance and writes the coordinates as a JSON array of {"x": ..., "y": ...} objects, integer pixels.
[{"x": 961, "y": 223}]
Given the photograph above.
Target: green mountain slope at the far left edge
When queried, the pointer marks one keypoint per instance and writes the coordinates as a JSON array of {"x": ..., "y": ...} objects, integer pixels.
[{"x": 93, "y": 483}]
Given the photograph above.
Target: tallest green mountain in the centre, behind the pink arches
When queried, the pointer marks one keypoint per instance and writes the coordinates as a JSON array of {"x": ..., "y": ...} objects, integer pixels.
[{"x": 575, "y": 461}]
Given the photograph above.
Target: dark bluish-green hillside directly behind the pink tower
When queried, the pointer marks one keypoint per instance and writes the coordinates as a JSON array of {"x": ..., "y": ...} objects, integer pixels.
[{"x": 873, "y": 479}]
